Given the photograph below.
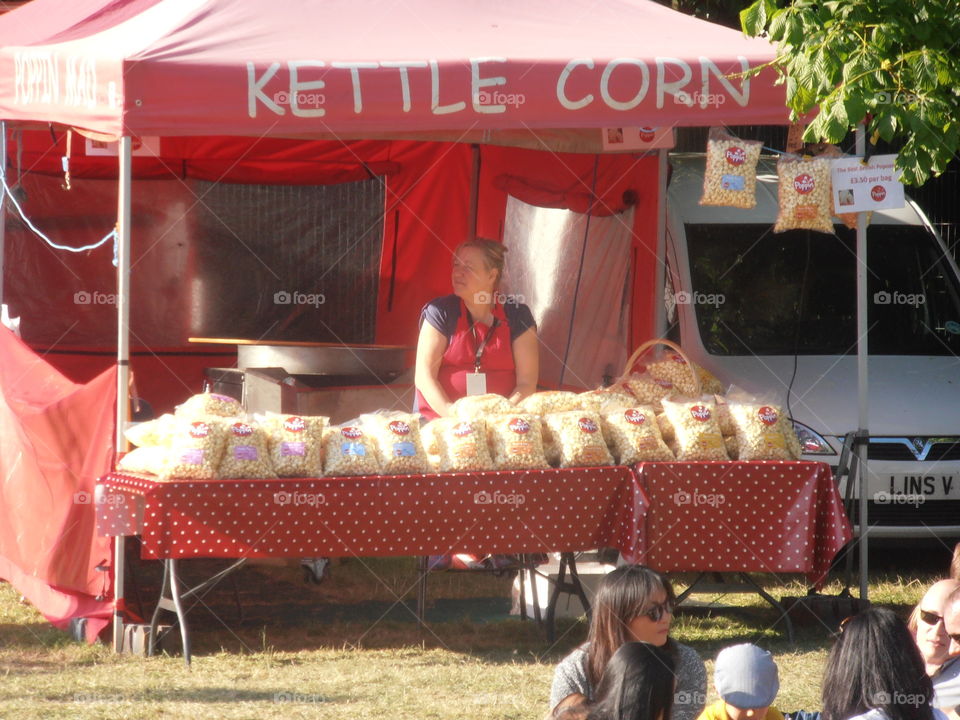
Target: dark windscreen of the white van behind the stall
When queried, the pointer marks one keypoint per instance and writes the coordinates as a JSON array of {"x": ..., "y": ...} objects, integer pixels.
[{"x": 764, "y": 293}]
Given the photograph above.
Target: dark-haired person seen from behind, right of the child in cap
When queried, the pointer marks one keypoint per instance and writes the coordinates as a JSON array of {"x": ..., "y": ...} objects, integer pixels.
[{"x": 876, "y": 672}]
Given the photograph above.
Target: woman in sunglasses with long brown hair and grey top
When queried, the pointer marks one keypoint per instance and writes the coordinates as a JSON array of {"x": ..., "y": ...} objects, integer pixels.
[{"x": 633, "y": 603}]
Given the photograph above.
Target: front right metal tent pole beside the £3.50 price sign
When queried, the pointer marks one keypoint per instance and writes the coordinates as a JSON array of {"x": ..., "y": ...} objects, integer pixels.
[{"x": 862, "y": 378}]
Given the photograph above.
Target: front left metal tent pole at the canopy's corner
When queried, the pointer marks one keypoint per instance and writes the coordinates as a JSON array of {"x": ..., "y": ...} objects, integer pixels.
[{"x": 123, "y": 358}]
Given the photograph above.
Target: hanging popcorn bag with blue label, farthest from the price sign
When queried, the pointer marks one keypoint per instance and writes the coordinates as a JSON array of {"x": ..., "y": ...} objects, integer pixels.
[{"x": 730, "y": 177}]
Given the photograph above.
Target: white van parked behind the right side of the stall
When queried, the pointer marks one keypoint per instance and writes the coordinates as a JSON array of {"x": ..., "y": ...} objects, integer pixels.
[{"x": 776, "y": 313}]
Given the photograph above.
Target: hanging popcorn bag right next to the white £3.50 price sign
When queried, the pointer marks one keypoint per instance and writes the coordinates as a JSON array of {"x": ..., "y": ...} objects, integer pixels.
[{"x": 804, "y": 194}]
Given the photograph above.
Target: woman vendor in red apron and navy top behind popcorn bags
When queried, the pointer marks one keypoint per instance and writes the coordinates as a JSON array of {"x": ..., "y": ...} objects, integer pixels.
[{"x": 471, "y": 343}]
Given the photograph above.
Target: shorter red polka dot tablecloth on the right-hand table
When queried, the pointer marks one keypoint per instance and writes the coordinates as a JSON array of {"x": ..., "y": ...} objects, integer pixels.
[{"x": 743, "y": 516}]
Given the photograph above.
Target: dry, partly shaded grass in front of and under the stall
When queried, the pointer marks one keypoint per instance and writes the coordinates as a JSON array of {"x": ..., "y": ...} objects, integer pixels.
[{"x": 298, "y": 652}]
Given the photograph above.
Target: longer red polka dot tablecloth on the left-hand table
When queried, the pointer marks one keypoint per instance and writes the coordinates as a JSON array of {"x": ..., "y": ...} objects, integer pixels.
[{"x": 492, "y": 512}]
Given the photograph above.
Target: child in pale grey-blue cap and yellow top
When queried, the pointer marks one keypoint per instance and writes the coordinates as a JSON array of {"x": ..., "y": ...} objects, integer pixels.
[{"x": 747, "y": 682}]
